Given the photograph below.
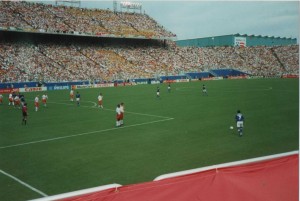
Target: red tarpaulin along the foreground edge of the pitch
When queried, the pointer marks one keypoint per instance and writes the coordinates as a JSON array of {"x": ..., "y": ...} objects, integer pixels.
[{"x": 272, "y": 180}]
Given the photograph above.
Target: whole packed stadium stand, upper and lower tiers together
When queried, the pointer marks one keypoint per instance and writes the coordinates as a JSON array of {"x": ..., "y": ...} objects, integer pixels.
[{"x": 44, "y": 42}]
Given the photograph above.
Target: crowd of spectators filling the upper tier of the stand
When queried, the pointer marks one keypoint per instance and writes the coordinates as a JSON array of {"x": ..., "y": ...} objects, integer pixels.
[{"x": 38, "y": 17}]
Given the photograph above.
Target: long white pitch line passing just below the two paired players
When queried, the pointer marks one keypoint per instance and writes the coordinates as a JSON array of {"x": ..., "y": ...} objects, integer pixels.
[{"x": 81, "y": 134}]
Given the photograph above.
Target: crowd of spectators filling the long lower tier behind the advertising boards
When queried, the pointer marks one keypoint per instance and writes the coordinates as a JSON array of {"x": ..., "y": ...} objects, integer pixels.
[{"x": 71, "y": 62}]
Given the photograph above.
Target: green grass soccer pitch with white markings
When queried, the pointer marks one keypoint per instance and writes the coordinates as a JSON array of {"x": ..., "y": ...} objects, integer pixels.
[{"x": 66, "y": 148}]
